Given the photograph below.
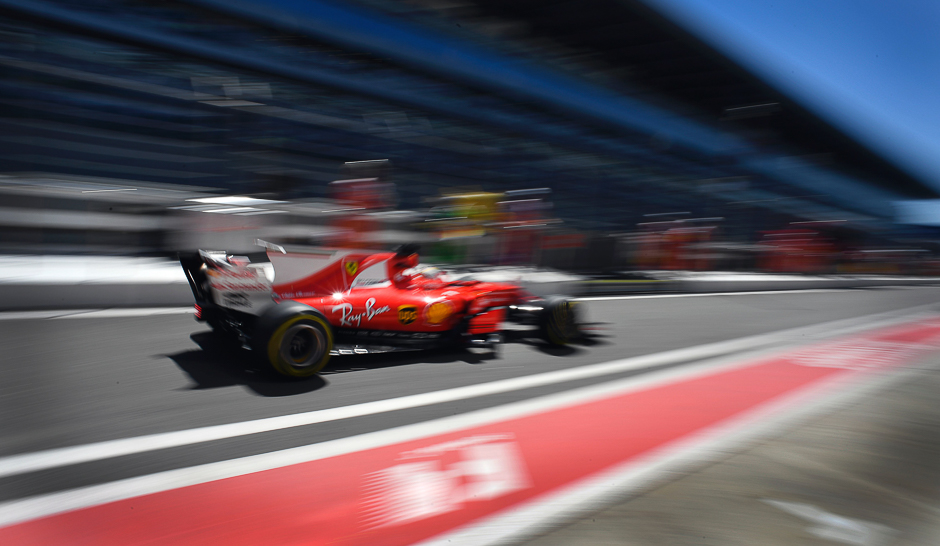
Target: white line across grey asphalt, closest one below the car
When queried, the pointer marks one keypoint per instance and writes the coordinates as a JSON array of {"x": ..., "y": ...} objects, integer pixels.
[{"x": 59, "y": 457}]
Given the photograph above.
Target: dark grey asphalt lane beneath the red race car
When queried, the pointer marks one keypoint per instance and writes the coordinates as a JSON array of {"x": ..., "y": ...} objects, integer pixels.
[{"x": 77, "y": 380}]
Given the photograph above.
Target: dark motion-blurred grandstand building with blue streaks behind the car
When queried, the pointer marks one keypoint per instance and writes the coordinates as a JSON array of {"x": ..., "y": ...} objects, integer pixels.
[{"x": 616, "y": 110}]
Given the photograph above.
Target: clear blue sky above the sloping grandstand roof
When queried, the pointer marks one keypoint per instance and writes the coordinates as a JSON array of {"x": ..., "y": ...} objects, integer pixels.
[{"x": 869, "y": 67}]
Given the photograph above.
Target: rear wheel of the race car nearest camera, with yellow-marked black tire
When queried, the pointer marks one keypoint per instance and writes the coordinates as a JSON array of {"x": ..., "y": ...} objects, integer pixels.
[{"x": 294, "y": 339}]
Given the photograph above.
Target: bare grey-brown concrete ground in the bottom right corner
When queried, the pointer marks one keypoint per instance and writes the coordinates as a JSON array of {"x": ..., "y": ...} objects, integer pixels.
[{"x": 865, "y": 474}]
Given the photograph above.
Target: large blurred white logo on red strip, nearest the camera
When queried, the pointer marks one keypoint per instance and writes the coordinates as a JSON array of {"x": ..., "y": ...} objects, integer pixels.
[{"x": 443, "y": 478}]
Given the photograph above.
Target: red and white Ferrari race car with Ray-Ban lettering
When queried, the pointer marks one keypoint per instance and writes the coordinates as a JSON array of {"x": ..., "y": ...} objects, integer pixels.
[{"x": 296, "y": 309}]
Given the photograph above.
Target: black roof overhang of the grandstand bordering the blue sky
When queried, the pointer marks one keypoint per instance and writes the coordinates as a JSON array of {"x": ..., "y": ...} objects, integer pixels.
[{"x": 629, "y": 46}]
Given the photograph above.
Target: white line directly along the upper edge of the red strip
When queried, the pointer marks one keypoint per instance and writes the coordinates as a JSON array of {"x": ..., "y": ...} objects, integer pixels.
[{"x": 18, "y": 511}]
